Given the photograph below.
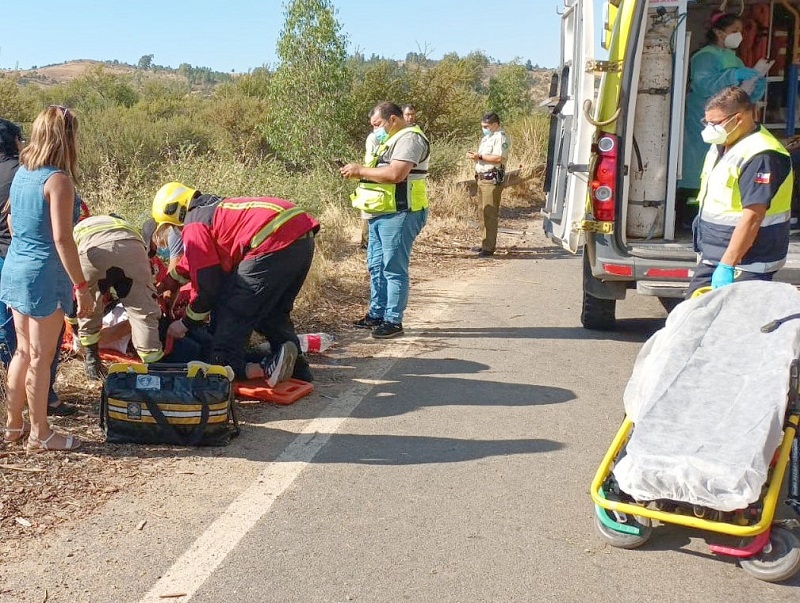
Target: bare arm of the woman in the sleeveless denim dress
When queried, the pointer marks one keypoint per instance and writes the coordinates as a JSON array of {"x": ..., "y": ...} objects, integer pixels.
[{"x": 60, "y": 194}]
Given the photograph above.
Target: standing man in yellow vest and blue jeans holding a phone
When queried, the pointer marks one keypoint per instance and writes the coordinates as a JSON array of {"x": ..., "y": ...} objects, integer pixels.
[{"x": 392, "y": 193}]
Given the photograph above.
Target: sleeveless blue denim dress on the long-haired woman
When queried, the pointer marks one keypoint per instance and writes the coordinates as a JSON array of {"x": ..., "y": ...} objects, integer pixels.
[{"x": 33, "y": 280}]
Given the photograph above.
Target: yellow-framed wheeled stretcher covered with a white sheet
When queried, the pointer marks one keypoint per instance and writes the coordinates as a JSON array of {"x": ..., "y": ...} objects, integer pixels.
[{"x": 710, "y": 429}]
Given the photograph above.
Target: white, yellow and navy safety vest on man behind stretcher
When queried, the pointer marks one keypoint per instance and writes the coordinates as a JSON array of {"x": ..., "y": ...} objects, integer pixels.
[{"x": 721, "y": 206}]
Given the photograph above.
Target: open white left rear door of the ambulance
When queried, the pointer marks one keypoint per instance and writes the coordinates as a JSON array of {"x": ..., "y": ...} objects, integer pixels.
[{"x": 570, "y": 142}]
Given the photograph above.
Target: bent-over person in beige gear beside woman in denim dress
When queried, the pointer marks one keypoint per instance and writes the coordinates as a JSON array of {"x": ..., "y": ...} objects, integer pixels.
[{"x": 113, "y": 255}]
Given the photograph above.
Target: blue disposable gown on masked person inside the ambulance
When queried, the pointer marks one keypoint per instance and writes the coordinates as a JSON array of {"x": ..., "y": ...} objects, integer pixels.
[{"x": 711, "y": 69}]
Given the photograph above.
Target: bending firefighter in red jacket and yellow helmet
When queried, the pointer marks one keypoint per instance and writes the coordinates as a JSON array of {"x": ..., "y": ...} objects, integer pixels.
[{"x": 246, "y": 259}]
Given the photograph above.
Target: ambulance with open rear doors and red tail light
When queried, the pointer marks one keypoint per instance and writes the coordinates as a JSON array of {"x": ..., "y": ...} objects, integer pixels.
[{"x": 616, "y": 129}]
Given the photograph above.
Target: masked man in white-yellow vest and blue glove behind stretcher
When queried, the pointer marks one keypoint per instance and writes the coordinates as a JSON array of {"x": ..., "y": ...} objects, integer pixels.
[{"x": 742, "y": 230}]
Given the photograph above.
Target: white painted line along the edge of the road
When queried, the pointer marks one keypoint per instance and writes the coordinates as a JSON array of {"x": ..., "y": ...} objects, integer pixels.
[{"x": 195, "y": 566}]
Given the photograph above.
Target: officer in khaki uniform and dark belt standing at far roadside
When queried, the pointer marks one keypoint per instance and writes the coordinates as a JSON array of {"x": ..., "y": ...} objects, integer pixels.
[{"x": 490, "y": 164}]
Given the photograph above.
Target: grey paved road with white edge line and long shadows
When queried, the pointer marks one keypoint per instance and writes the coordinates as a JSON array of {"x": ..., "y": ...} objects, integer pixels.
[{"x": 451, "y": 467}]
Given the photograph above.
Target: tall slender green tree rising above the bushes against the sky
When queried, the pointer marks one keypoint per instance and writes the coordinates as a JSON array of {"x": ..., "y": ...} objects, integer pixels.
[{"x": 309, "y": 90}]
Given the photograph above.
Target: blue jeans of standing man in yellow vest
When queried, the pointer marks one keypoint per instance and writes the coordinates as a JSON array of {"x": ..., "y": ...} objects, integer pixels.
[{"x": 388, "y": 253}]
